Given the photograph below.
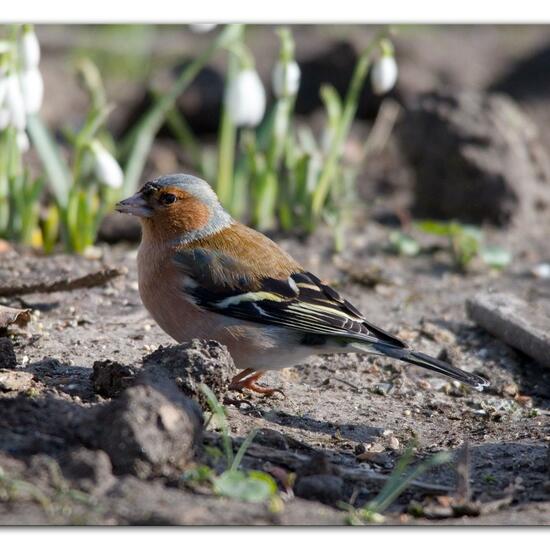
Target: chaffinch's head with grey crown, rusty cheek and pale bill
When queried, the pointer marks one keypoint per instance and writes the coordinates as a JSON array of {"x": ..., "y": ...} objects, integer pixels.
[{"x": 178, "y": 206}]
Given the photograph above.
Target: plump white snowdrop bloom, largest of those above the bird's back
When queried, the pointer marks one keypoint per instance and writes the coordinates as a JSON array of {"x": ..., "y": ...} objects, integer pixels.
[{"x": 246, "y": 98}]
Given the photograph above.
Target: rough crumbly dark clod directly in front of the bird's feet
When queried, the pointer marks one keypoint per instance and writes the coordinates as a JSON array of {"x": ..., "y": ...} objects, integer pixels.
[{"x": 191, "y": 364}]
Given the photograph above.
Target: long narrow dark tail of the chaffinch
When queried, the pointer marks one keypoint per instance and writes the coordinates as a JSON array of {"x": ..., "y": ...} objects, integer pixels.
[{"x": 426, "y": 361}]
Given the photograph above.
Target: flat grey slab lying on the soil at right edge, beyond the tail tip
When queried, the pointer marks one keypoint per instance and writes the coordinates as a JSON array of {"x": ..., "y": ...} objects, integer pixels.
[{"x": 522, "y": 325}]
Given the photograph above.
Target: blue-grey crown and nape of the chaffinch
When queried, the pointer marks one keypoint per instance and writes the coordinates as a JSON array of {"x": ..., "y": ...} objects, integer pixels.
[{"x": 200, "y": 189}]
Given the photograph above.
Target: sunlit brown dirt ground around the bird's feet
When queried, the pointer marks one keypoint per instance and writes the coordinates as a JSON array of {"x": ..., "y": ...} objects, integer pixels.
[{"x": 339, "y": 406}]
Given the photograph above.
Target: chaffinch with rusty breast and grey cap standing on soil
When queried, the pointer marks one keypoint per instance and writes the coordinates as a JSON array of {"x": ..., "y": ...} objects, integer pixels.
[{"x": 202, "y": 274}]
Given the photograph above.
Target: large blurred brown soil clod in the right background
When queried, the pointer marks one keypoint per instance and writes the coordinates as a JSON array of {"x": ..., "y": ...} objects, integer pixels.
[{"x": 477, "y": 158}]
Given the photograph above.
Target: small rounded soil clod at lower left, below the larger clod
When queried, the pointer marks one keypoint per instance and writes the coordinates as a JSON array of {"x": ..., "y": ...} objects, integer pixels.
[{"x": 89, "y": 470}]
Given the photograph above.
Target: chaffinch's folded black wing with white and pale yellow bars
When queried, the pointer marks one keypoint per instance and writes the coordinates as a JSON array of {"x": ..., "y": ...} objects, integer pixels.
[{"x": 302, "y": 302}]
